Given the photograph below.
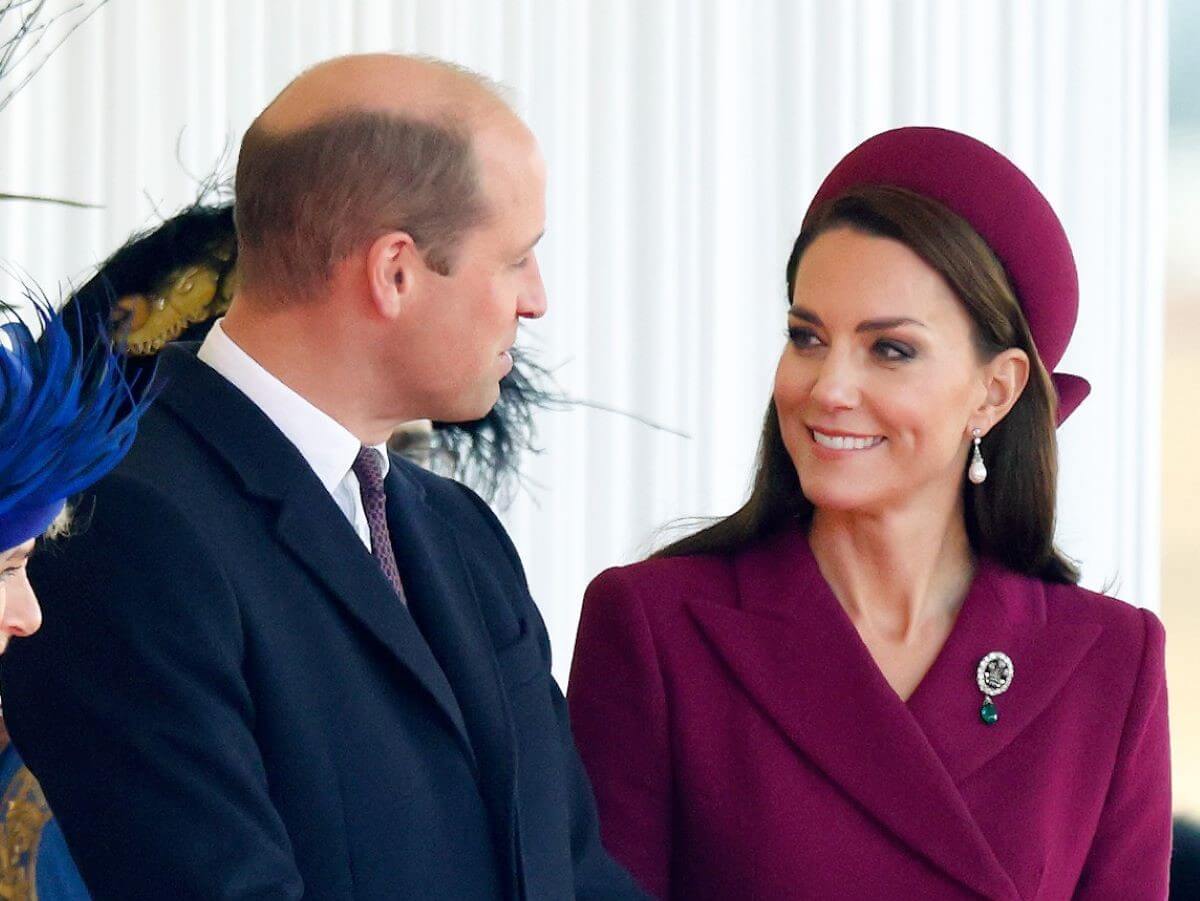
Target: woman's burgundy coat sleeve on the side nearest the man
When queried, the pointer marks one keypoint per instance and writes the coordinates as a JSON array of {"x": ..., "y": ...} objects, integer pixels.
[{"x": 619, "y": 711}]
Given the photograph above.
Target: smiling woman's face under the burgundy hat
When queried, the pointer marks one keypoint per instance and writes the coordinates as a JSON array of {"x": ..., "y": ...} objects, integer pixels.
[{"x": 880, "y": 385}]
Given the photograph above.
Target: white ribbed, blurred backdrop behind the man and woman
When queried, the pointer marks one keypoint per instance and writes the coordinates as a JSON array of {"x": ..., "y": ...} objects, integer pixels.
[{"x": 685, "y": 140}]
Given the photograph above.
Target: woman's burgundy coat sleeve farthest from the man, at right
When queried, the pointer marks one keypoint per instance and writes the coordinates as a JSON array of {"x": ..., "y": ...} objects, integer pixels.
[{"x": 1131, "y": 851}]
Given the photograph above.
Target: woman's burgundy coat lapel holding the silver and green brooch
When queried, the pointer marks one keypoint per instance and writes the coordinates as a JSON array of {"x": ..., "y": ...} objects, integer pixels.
[{"x": 1004, "y": 612}]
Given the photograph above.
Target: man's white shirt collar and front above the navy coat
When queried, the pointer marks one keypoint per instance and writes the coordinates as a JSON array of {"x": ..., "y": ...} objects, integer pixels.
[{"x": 326, "y": 445}]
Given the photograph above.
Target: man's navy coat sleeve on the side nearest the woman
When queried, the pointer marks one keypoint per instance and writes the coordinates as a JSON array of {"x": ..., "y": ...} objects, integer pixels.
[{"x": 597, "y": 875}]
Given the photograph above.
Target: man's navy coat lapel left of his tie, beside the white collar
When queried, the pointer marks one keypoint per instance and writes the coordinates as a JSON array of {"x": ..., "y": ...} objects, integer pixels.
[{"x": 307, "y": 520}]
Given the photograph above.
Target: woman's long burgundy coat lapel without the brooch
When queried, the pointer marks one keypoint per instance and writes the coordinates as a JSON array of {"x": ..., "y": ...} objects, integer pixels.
[{"x": 799, "y": 657}]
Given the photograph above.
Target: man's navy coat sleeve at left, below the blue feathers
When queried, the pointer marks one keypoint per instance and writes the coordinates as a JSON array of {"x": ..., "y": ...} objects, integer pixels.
[{"x": 131, "y": 708}]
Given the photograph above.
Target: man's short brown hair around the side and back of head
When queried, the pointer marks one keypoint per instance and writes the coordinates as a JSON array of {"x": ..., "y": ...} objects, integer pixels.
[{"x": 308, "y": 199}]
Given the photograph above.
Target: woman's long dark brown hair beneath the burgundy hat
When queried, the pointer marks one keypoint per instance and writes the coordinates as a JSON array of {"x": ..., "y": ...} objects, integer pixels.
[{"x": 1011, "y": 516}]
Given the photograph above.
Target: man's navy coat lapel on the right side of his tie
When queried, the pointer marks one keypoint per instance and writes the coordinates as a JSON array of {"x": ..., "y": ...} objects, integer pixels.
[{"x": 445, "y": 603}]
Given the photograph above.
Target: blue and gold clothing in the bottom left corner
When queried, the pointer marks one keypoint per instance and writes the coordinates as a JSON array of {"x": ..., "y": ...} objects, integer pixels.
[{"x": 43, "y": 857}]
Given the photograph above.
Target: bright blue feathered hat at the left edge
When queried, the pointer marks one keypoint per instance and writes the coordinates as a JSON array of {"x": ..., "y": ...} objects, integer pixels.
[{"x": 68, "y": 417}]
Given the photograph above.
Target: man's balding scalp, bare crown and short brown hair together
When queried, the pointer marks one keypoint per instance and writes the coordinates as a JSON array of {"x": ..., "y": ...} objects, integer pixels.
[{"x": 355, "y": 148}]
